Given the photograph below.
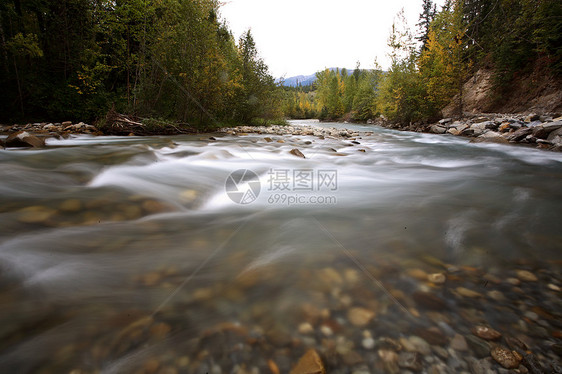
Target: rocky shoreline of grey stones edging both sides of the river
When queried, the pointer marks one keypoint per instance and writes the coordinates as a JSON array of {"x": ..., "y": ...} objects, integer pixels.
[{"x": 542, "y": 132}]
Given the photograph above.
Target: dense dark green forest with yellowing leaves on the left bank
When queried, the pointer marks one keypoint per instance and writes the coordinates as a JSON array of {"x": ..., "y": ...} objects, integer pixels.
[{"x": 166, "y": 59}]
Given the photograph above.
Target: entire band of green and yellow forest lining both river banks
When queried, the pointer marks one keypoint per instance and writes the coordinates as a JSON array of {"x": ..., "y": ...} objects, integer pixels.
[{"x": 175, "y": 60}]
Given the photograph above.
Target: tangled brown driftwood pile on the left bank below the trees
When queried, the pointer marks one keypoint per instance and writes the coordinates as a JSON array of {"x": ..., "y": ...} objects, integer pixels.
[{"x": 121, "y": 124}]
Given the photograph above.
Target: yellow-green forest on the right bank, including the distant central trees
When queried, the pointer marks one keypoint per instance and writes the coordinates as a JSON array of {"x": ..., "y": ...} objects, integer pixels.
[{"x": 429, "y": 64}]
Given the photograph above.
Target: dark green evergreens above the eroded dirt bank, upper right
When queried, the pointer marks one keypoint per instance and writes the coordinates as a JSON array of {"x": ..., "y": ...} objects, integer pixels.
[{"x": 512, "y": 36}]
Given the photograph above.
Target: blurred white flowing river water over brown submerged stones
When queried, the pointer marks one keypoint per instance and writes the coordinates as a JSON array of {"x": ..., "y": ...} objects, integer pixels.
[{"x": 139, "y": 254}]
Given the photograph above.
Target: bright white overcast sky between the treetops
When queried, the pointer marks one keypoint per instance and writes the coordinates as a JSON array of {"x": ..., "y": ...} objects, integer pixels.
[{"x": 297, "y": 37}]
